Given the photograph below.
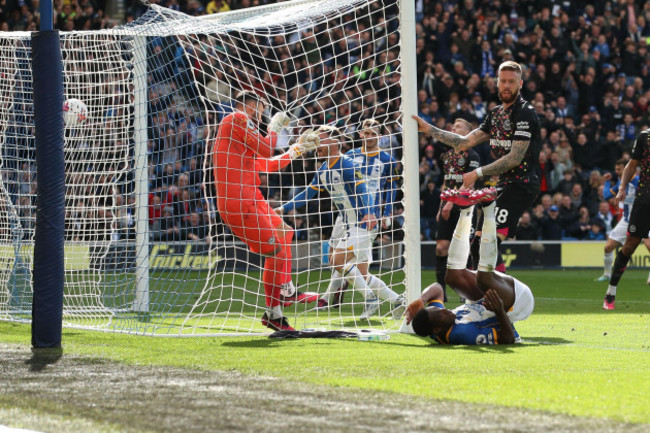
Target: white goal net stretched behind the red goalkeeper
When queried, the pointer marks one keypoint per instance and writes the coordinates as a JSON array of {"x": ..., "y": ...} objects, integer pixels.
[{"x": 146, "y": 249}]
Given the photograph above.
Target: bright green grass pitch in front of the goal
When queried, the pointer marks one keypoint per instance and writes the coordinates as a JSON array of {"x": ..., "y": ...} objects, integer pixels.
[{"x": 577, "y": 359}]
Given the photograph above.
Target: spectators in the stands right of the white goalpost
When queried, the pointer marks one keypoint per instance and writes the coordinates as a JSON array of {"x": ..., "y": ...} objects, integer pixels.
[{"x": 587, "y": 73}]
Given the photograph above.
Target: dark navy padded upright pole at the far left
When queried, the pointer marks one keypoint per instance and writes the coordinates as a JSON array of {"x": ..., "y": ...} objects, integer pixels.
[{"x": 48, "y": 270}]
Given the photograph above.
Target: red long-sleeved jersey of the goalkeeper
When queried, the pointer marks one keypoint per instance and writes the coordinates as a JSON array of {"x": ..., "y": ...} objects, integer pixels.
[{"x": 240, "y": 152}]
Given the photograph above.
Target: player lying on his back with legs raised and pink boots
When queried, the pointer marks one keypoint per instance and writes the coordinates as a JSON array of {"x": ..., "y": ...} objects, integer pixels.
[{"x": 493, "y": 300}]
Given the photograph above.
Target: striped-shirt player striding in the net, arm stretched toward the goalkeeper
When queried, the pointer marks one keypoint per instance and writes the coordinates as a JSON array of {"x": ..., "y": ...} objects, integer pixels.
[{"x": 342, "y": 179}]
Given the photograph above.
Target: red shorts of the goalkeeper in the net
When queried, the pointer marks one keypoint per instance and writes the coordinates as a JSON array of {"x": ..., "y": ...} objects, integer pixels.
[{"x": 254, "y": 222}]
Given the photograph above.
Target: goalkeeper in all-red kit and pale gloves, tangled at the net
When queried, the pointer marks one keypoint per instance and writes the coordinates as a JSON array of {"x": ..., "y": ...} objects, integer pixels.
[{"x": 240, "y": 153}]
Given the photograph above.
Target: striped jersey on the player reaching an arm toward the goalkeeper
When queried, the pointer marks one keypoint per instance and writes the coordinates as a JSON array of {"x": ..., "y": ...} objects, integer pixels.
[{"x": 347, "y": 188}]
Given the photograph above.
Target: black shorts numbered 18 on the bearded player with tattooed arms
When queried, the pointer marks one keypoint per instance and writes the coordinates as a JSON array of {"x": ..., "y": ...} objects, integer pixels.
[{"x": 512, "y": 201}]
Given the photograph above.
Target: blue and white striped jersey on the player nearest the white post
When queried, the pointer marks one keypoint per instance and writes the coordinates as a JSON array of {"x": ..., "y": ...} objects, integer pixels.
[{"x": 381, "y": 174}]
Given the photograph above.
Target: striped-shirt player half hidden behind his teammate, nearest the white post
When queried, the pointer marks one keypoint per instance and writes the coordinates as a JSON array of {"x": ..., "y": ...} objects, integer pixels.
[{"x": 379, "y": 170}]
